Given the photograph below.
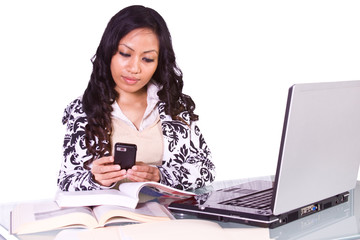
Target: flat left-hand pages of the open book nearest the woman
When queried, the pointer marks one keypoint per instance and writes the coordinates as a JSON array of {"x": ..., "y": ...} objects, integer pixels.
[{"x": 95, "y": 198}]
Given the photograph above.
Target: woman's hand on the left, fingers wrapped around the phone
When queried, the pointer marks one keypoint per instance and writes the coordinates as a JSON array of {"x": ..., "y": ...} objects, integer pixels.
[{"x": 106, "y": 172}]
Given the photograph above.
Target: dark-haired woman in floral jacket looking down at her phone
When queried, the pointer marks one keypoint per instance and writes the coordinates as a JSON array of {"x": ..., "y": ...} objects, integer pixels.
[{"x": 135, "y": 96}]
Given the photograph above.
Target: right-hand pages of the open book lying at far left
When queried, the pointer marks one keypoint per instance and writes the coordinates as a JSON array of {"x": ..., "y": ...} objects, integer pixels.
[{"x": 145, "y": 212}]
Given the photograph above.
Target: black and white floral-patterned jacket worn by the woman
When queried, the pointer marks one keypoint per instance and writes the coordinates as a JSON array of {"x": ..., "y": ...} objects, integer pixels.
[{"x": 186, "y": 160}]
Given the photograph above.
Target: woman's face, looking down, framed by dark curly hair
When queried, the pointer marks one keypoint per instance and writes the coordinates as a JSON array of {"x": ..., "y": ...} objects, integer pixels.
[{"x": 136, "y": 60}]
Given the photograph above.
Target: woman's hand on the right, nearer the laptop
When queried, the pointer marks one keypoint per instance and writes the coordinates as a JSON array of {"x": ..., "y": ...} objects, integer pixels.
[{"x": 142, "y": 172}]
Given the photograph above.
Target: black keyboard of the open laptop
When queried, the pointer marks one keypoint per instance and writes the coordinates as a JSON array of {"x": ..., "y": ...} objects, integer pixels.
[{"x": 260, "y": 200}]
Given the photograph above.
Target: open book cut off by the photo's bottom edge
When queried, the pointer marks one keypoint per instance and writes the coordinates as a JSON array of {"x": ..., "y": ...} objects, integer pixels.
[{"x": 174, "y": 230}]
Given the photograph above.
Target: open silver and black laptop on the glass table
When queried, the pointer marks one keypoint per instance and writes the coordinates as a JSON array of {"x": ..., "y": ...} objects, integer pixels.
[{"x": 318, "y": 162}]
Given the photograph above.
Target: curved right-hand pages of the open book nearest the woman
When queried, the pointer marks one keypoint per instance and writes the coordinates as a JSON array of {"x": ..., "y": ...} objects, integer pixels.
[{"x": 133, "y": 189}]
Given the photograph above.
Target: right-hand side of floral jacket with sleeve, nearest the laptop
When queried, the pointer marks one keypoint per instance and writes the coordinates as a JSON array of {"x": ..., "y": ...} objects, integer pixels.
[{"x": 187, "y": 160}]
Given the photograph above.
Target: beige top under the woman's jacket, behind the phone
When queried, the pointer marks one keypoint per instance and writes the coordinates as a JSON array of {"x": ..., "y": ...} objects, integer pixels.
[{"x": 149, "y": 141}]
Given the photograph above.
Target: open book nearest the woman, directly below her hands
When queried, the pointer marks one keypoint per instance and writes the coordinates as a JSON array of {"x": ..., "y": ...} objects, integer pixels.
[{"x": 127, "y": 195}]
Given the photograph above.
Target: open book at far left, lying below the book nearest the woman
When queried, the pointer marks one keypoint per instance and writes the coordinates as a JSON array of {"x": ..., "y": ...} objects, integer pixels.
[{"x": 47, "y": 215}]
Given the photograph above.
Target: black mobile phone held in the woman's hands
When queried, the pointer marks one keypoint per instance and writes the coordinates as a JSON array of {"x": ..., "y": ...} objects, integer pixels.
[{"x": 125, "y": 155}]
